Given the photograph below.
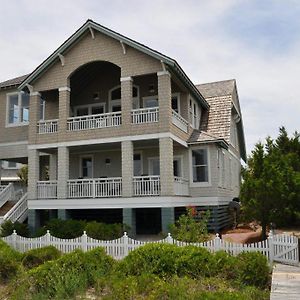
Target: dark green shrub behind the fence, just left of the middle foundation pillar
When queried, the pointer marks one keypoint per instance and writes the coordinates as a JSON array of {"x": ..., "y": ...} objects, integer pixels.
[{"x": 102, "y": 231}]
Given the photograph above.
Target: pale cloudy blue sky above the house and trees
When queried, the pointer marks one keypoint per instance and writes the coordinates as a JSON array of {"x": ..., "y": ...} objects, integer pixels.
[{"x": 255, "y": 42}]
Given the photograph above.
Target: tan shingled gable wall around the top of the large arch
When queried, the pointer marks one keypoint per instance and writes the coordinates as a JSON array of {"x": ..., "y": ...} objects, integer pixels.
[{"x": 102, "y": 48}]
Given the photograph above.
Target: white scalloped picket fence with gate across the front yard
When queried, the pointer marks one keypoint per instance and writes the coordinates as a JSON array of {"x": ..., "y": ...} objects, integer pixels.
[{"x": 281, "y": 248}]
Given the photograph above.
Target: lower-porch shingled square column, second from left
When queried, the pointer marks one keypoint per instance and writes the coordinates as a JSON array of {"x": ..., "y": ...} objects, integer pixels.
[{"x": 63, "y": 172}]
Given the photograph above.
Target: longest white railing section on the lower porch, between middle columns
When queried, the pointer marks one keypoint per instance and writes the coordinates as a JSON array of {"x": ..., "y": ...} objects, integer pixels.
[{"x": 95, "y": 188}]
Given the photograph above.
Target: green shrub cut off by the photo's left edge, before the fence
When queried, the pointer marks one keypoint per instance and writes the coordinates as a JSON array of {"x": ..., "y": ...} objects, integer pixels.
[{"x": 10, "y": 264}]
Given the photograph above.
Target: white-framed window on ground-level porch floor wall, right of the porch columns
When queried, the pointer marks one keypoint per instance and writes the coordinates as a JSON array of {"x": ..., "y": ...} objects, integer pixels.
[{"x": 200, "y": 165}]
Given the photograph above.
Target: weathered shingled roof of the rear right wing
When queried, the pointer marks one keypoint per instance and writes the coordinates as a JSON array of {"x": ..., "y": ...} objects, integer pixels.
[{"x": 217, "y": 121}]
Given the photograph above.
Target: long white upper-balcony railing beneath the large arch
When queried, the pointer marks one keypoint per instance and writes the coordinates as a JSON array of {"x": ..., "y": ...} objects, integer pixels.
[{"x": 94, "y": 121}]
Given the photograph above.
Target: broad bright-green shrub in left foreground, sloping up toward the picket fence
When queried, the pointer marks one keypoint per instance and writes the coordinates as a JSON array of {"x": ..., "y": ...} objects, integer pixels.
[{"x": 70, "y": 274}]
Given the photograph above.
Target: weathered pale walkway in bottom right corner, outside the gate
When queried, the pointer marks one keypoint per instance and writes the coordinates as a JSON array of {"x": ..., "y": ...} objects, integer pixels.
[{"x": 285, "y": 282}]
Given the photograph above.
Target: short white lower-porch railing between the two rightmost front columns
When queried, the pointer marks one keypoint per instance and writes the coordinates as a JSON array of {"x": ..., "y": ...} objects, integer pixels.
[{"x": 146, "y": 185}]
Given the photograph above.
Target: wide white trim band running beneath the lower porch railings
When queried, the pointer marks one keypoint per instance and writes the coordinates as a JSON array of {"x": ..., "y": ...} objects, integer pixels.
[{"x": 127, "y": 202}]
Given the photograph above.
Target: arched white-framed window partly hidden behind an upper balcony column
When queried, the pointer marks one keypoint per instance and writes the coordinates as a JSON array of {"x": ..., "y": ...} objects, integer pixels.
[{"x": 115, "y": 98}]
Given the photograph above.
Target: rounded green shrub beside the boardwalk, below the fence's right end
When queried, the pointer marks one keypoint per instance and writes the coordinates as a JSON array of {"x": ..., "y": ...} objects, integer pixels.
[{"x": 253, "y": 269}]
